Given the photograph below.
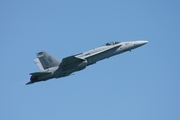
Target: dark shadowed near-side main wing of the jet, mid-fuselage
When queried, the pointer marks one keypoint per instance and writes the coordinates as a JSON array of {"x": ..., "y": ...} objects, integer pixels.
[{"x": 70, "y": 60}]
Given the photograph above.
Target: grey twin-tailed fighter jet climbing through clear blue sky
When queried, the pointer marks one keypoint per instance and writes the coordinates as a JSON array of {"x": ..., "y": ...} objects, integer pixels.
[{"x": 53, "y": 68}]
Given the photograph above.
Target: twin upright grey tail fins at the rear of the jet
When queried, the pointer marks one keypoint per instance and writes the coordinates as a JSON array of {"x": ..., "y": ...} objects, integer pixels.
[{"x": 46, "y": 61}]
